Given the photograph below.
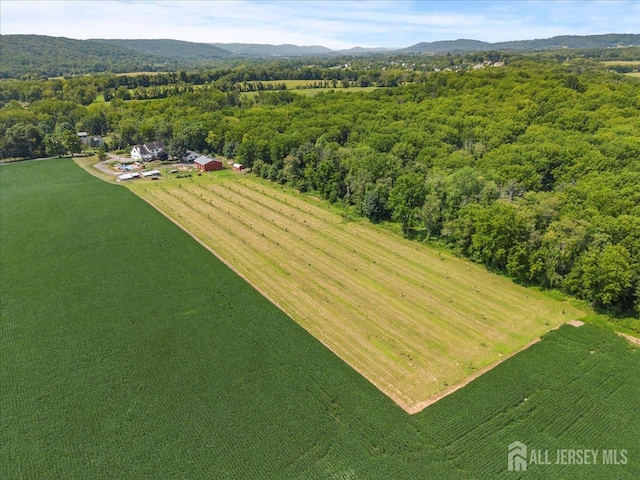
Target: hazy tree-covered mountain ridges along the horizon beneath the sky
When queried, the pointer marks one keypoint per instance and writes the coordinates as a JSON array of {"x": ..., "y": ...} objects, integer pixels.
[{"x": 54, "y": 56}]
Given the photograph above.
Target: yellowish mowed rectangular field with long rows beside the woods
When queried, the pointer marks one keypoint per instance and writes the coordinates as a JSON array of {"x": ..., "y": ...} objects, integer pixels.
[{"x": 413, "y": 321}]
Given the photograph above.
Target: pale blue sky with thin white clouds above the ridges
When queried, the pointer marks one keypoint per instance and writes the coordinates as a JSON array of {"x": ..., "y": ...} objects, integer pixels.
[{"x": 334, "y": 24}]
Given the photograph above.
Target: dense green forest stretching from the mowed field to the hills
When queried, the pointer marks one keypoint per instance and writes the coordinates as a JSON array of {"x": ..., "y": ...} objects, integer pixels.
[{"x": 531, "y": 168}]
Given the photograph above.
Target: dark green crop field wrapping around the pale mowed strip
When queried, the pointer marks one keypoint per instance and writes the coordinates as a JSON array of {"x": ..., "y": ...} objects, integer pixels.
[{"x": 127, "y": 350}]
